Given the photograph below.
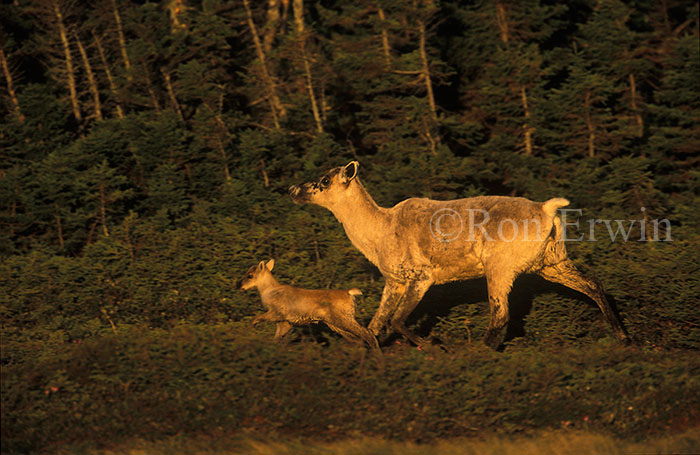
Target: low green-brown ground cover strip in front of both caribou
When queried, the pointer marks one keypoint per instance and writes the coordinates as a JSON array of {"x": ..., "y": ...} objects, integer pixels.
[{"x": 141, "y": 382}]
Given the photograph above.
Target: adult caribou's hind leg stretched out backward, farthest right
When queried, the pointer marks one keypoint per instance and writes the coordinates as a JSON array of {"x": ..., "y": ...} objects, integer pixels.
[{"x": 565, "y": 273}]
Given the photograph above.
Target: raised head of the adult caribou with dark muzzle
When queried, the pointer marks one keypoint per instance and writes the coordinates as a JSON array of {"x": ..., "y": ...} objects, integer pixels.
[{"x": 329, "y": 190}]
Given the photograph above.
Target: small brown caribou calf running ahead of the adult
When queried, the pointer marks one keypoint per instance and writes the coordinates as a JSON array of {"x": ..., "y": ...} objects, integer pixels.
[{"x": 289, "y": 306}]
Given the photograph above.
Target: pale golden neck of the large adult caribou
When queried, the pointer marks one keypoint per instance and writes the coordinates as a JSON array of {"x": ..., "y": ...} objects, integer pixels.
[{"x": 364, "y": 221}]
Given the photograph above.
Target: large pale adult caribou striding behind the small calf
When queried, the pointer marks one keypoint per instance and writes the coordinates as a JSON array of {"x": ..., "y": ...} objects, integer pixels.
[{"x": 420, "y": 242}]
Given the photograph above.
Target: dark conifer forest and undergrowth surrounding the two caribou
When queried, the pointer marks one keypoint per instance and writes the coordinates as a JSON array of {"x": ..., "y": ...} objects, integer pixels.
[{"x": 146, "y": 149}]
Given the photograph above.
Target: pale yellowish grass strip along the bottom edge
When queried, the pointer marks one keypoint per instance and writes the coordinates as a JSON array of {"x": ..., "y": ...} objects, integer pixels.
[{"x": 552, "y": 442}]
